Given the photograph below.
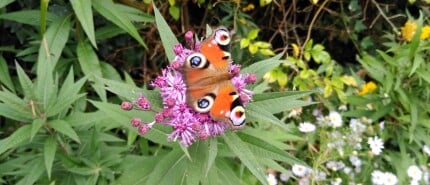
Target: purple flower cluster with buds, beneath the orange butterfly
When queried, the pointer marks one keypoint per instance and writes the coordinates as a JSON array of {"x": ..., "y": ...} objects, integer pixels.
[{"x": 188, "y": 125}]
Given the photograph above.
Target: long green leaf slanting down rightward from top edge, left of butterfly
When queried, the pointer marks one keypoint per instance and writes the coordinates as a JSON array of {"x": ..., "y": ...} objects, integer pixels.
[{"x": 110, "y": 11}]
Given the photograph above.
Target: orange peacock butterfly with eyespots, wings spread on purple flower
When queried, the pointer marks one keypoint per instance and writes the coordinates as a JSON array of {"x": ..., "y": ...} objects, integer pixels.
[{"x": 209, "y": 86}]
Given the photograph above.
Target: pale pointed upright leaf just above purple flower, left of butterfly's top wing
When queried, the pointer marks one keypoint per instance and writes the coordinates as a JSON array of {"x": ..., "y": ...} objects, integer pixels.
[{"x": 167, "y": 37}]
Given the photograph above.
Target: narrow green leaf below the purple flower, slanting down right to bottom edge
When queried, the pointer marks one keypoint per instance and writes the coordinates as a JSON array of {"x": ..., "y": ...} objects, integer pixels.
[{"x": 241, "y": 150}]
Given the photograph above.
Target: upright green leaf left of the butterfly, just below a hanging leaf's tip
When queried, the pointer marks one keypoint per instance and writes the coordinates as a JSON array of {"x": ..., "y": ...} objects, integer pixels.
[{"x": 91, "y": 67}]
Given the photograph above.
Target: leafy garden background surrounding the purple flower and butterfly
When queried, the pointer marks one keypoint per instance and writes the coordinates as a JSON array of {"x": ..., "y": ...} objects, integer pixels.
[{"x": 66, "y": 66}]
